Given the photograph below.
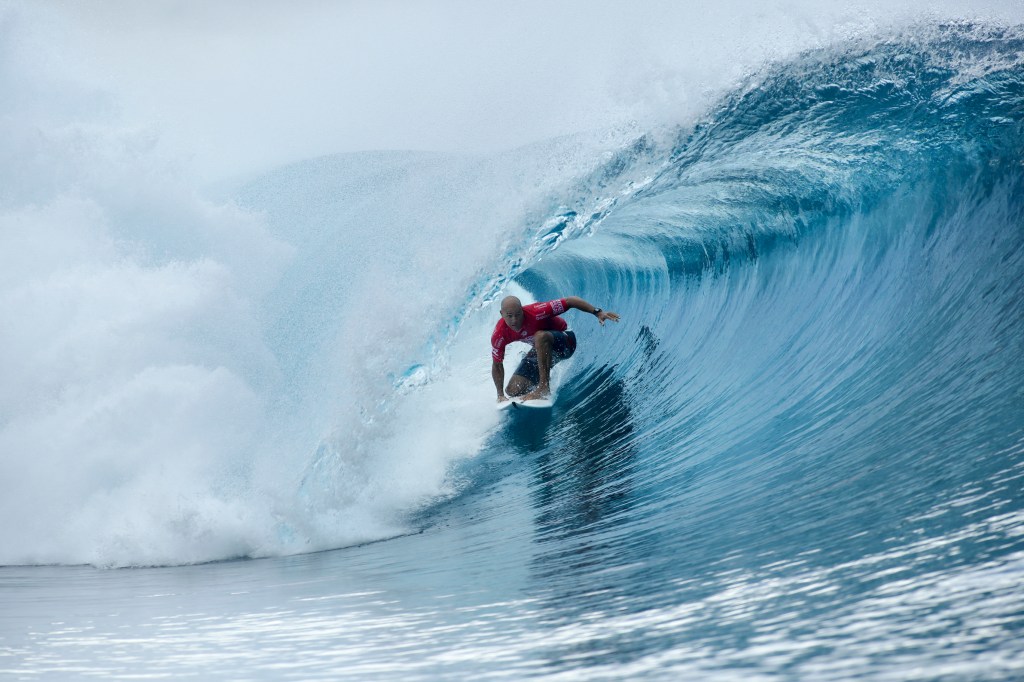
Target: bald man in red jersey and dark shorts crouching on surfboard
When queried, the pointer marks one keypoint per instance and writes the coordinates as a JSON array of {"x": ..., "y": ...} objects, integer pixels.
[{"x": 540, "y": 326}]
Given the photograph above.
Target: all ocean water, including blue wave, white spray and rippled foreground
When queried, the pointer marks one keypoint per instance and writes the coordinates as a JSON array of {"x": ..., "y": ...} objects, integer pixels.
[{"x": 248, "y": 432}]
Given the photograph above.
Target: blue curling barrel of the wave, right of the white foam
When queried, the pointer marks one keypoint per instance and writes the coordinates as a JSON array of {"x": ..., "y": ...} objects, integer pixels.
[{"x": 822, "y": 291}]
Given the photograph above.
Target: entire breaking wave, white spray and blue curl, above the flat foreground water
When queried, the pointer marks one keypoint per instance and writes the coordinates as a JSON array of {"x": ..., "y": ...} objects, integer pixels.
[{"x": 821, "y": 285}]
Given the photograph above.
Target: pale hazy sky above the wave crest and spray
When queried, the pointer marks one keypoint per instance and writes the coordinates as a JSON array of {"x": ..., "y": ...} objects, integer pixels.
[{"x": 239, "y": 86}]
